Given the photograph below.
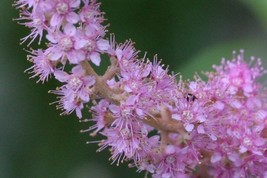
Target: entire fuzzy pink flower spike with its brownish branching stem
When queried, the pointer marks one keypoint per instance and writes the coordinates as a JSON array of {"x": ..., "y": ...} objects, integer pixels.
[{"x": 164, "y": 126}]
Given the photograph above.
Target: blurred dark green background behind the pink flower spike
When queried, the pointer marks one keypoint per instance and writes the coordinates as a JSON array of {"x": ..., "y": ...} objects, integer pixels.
[{"x": 190, "y": 36}]
